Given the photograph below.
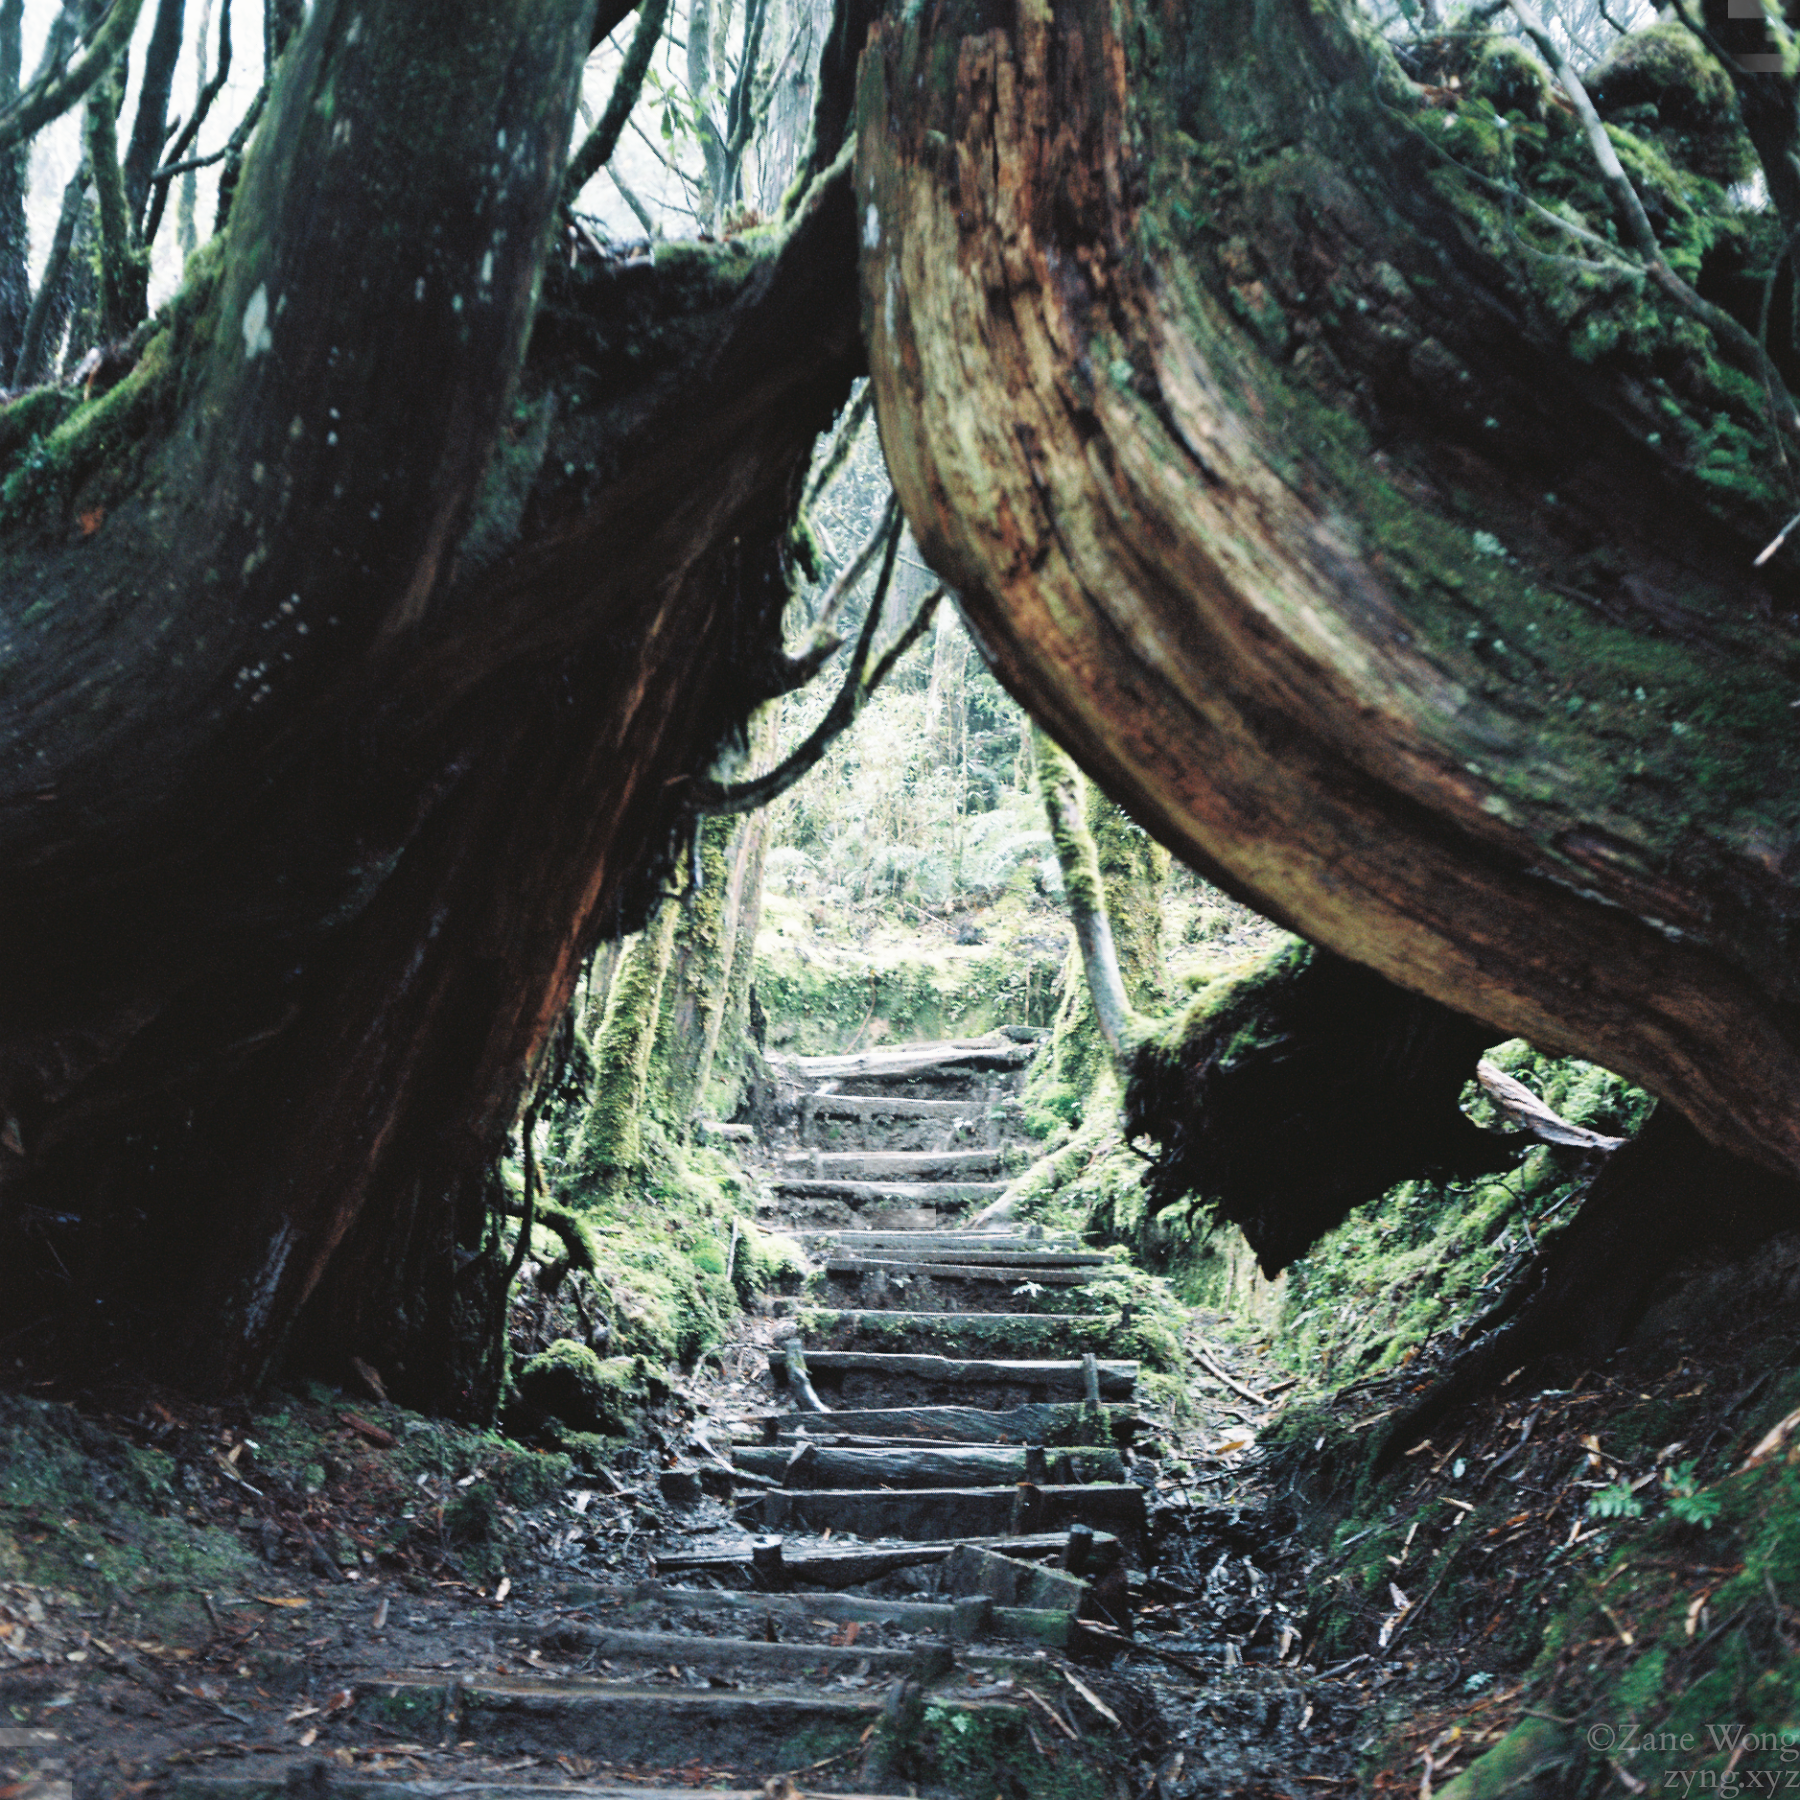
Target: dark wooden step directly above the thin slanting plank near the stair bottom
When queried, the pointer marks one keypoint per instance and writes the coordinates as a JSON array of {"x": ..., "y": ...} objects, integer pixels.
[{"x": 928, "y": 1513}]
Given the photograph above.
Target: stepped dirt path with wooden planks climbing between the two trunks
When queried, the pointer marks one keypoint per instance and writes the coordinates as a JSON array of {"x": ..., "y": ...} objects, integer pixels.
[{"x": 924, "y": 1536}]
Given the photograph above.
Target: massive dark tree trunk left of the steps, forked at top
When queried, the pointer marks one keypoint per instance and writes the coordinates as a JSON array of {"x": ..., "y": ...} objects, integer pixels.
[{"x": 361, "y": 647}]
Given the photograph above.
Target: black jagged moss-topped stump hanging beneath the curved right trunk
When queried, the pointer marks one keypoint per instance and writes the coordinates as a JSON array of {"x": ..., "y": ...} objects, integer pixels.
[{"x": 1304, "y": 1088}]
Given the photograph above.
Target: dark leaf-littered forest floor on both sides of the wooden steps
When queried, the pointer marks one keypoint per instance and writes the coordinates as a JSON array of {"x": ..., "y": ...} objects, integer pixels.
[{"x": 244, "y": 1610}]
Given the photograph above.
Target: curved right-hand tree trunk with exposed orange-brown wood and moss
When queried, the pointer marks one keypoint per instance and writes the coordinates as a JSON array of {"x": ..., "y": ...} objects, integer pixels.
[{"x": 1396, "y": 575}]
